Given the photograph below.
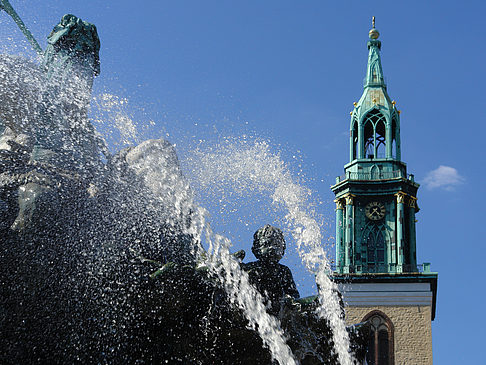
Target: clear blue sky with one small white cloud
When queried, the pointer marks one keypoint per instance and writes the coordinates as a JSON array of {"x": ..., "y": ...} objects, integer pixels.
[{"x": 288, "y": 72}]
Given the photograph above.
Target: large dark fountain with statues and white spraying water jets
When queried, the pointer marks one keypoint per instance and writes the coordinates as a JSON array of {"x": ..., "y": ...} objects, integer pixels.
[{"x": 107, "y": 258}]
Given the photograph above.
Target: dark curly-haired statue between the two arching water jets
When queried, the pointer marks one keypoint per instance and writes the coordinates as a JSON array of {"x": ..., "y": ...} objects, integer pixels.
[{"x": 272, "y": 279}]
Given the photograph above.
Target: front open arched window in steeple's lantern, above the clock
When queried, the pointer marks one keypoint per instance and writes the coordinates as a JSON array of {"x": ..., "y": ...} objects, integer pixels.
[{"x": 375, "y": 134}]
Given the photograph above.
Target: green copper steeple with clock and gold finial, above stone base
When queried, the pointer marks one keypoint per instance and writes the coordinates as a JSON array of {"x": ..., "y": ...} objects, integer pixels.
[{"x": 376, "y": 198}]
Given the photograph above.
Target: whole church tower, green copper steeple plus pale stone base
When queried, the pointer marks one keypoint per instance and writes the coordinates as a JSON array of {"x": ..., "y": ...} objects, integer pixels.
[{"x": 376, "y": 202}]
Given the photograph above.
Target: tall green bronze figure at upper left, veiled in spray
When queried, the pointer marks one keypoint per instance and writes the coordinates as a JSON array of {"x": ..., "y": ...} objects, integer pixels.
[{"x": 70, "y": 62}]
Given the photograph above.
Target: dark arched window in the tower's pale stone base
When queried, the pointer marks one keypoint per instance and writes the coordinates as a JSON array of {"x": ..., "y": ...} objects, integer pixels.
[{"x": 380, "y": 345}]
